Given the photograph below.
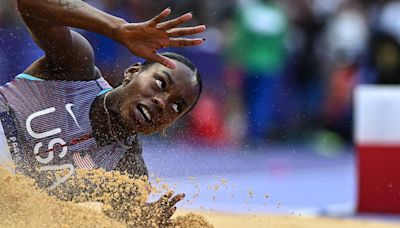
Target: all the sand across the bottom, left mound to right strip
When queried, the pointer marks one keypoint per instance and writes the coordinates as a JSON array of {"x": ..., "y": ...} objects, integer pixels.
[{"x": 111, "y": 203}]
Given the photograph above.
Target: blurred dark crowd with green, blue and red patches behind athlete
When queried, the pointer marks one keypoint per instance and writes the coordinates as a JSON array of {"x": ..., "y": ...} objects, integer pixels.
[{"x": 273, "y": 70}]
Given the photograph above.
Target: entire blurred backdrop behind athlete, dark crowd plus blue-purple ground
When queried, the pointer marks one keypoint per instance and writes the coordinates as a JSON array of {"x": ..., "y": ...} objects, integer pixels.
[{"x": 276, "y": 114}]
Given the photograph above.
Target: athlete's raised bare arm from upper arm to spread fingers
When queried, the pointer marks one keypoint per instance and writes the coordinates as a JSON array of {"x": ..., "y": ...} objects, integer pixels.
[{"x": 48, "y": 21}]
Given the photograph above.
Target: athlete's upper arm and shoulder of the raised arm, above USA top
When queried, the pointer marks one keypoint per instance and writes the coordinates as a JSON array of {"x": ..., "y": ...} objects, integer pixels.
[{"x": 68, "y": 55}]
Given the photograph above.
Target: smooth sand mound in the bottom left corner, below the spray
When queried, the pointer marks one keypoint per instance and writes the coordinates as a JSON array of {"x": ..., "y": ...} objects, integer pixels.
[{"x": 22, "y": 205}]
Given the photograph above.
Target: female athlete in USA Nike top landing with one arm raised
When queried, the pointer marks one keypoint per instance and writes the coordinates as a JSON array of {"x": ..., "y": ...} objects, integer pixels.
[{"x": 60, "y": 114}]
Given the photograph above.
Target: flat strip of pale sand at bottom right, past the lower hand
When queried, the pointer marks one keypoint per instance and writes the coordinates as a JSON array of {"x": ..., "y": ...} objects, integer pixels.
[{"x": 225, "y": 220}]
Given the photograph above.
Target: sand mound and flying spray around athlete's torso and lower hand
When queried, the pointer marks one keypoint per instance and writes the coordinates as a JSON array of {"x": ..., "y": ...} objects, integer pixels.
[{"x": 122, "y": 200}]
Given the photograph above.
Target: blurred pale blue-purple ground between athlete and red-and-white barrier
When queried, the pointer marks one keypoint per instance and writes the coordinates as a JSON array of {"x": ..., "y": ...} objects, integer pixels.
[{"x": 278, "y": 179}]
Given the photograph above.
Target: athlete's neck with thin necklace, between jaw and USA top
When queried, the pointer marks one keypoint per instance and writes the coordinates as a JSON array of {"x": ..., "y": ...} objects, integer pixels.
[{"x": 105, "y": 124}]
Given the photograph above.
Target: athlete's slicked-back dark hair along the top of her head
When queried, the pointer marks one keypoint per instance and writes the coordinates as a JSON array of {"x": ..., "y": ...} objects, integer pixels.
[{"x": 186, "y": 62}]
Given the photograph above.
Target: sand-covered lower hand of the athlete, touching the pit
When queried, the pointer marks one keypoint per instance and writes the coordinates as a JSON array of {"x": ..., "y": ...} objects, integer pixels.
[{"x": 163, "y": 209}]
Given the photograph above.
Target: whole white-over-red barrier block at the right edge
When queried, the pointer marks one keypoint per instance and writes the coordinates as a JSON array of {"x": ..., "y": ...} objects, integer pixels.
[{"x": 377, "y": 138}]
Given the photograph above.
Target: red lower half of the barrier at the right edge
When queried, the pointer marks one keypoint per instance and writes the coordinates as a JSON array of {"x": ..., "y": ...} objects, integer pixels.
[{"x": 379, "y": 179}]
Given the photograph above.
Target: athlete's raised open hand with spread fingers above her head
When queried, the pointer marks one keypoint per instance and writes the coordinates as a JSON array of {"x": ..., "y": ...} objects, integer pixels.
[{"x": 144, "y": 39}]
